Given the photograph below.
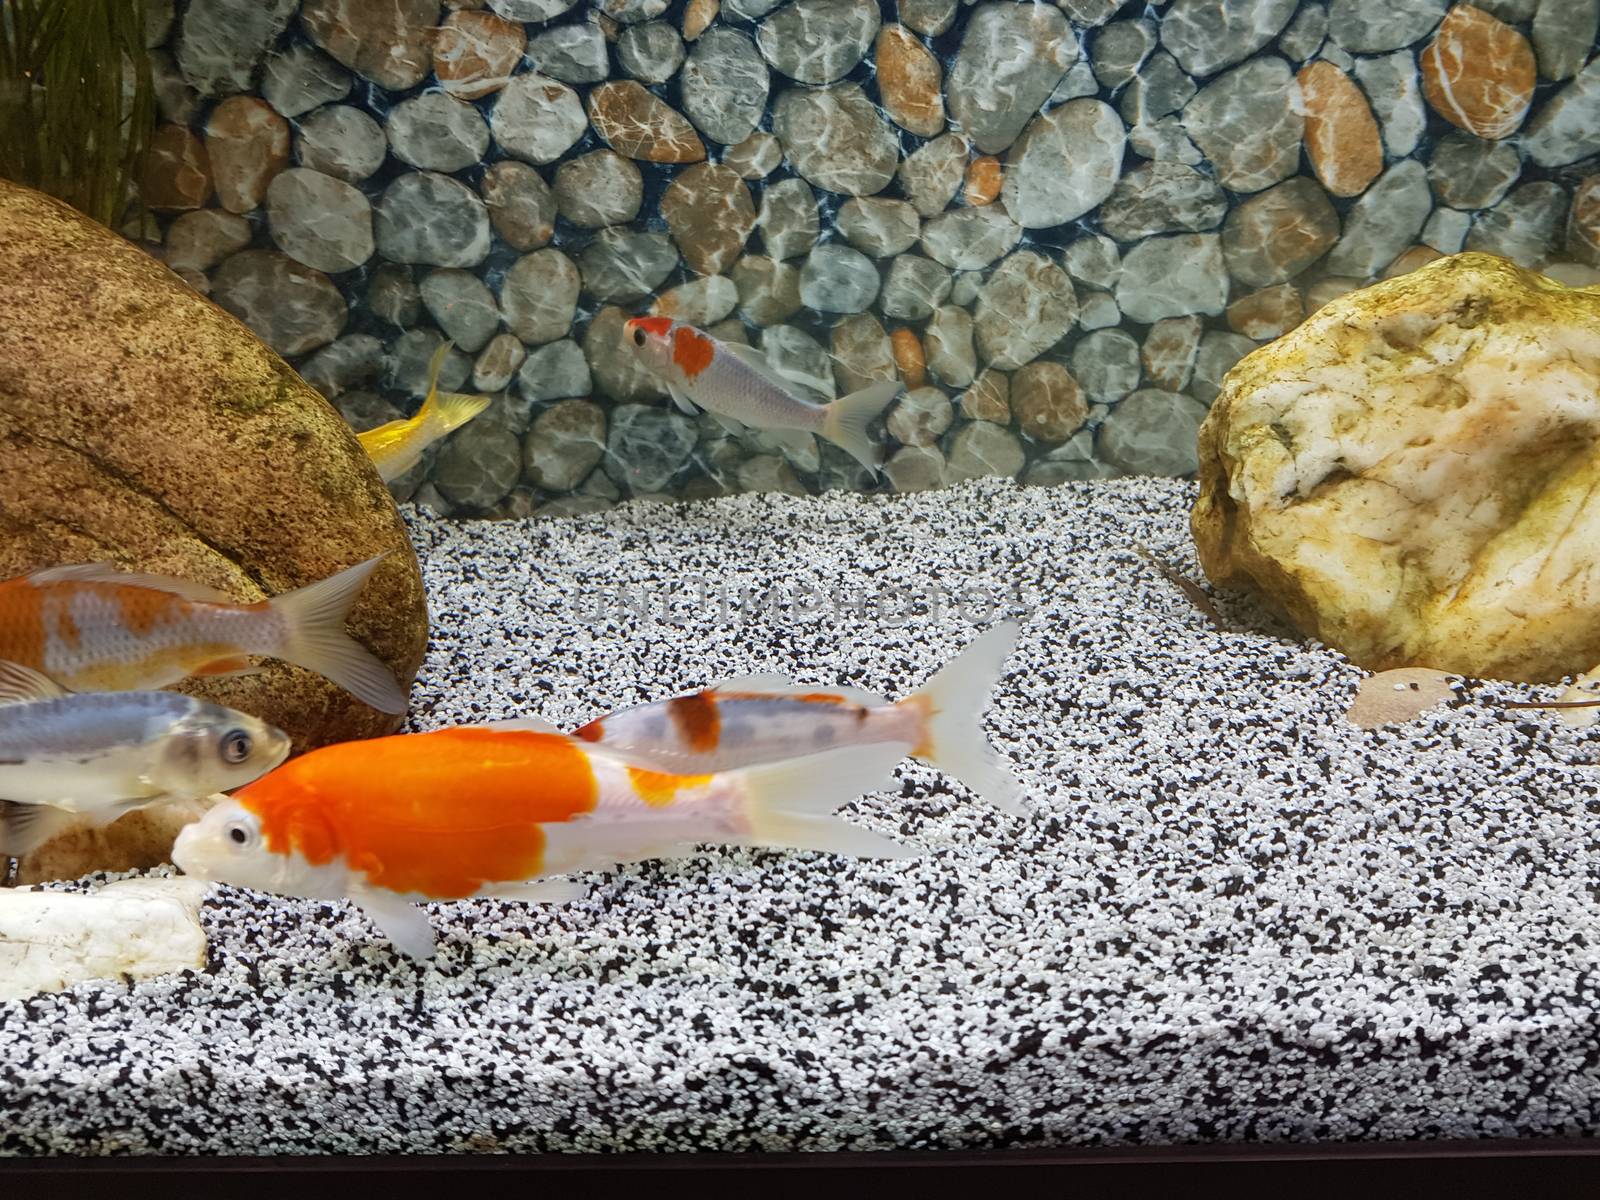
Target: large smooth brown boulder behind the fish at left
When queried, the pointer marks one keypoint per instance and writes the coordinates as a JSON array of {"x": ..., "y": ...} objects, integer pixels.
[{"x": 143, "y": 425}]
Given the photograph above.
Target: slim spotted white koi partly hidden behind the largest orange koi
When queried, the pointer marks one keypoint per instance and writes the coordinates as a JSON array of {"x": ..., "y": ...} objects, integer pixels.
[{"x": 766, "y": 719}]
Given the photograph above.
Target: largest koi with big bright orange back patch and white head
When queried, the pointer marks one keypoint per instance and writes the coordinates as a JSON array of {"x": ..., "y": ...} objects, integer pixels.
[{"x": 492, "y": 810}]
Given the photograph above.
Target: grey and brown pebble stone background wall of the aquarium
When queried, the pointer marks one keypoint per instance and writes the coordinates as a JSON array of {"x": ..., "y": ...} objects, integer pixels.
[{"x": 1058, "y": 225}]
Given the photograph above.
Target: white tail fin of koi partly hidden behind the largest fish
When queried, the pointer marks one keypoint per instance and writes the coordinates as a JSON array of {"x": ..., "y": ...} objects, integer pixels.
[{"x": 953, "y": 706}]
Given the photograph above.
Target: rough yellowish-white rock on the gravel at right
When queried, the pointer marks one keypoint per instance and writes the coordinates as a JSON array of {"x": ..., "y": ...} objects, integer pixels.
[{"x": 1414, "y": 474}]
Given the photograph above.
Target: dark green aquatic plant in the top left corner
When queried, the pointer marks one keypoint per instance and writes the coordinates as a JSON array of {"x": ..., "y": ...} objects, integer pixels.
[{"x": 78, "y": 105}]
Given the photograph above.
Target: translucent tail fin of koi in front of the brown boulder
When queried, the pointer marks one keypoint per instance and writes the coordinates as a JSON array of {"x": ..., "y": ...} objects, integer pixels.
[{"x": 314, "y": 638}]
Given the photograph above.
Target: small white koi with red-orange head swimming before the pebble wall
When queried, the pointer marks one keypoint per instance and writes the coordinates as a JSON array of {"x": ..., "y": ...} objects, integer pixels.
[{"x": 740, "y": 388}]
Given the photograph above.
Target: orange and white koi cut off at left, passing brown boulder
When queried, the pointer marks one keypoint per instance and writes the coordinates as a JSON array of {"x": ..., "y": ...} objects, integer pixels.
[{"x": 95, "y": 628}]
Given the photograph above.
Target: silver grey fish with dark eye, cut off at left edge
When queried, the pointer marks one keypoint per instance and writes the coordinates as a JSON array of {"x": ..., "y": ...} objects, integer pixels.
[{"x": 98, "y": 756}]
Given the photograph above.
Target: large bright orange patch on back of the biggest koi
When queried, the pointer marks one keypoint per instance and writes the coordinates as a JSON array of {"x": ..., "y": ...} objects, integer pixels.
[{"x": 428, "y": 814}]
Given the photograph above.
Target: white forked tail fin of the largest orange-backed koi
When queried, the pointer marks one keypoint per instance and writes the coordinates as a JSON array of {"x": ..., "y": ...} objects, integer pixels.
[{"x": 790, "y": 804}]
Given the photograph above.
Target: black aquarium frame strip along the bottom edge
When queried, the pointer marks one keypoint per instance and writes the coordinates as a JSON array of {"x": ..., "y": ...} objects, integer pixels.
[{"x": 1546, "y": 1169}]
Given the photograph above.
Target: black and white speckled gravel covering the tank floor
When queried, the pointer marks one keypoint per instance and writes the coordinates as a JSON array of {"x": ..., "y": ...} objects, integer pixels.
[{"x": 1231, "y": 916}]
